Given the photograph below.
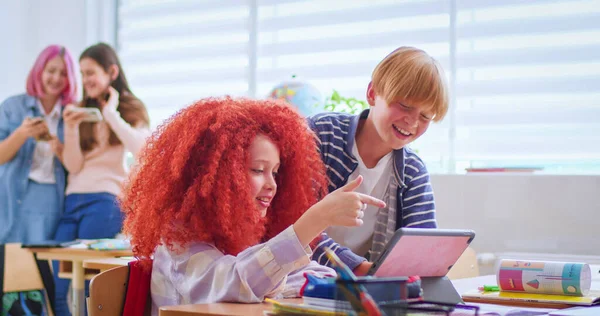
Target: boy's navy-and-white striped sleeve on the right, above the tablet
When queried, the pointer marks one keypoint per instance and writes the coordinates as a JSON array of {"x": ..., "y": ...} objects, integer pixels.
[{"x": 418, "y": 205}]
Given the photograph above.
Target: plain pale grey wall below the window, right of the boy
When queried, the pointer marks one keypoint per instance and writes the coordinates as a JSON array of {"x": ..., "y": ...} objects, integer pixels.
[{"x": 523, "y": 212}]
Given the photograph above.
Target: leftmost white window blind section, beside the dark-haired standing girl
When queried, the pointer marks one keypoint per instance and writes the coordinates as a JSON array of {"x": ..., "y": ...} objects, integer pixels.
[{"x": 176, "y": 52}]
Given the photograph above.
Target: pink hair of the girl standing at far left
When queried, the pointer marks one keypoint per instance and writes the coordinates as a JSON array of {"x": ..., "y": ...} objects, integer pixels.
[{"x": 34, "y": 79}]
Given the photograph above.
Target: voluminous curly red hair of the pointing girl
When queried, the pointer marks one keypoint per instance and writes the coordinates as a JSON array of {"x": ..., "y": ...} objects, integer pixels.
[{"x": 192, "y": 183}]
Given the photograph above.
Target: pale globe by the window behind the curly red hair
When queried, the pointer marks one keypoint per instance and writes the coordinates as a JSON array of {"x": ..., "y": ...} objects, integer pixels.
[{"x": 304, "y": 96}]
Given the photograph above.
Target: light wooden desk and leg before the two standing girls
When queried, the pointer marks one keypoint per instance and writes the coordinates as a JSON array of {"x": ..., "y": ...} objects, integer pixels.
[{"x": 75, "y": 257}]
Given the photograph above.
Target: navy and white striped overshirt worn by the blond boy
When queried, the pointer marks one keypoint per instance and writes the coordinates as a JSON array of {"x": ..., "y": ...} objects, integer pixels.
[{"x": 409, "y": 200}]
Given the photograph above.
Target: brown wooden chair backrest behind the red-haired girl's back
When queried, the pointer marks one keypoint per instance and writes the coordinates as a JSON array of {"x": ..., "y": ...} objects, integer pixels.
[{"x": 107, "y": 292}]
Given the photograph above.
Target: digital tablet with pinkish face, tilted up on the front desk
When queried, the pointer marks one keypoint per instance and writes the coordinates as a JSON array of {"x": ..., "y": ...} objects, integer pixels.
[{"x": 424, "y": 252}]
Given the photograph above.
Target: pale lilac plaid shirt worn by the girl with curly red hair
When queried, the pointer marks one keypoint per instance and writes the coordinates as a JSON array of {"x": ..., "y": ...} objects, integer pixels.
[{"x": 201, "y": 273}]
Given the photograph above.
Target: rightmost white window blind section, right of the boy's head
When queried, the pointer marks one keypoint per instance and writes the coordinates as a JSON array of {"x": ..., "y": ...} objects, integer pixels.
[{"x": 528, "y": 84}]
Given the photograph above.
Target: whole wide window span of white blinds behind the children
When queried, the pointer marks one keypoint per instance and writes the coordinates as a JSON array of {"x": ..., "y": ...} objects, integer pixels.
[{"x": 524, "y": 75}]
